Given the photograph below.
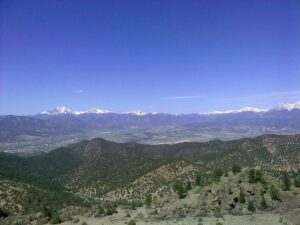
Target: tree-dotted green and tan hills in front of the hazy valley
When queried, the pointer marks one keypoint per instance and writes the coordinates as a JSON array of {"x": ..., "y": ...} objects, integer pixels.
[{"x": 99, "y": 172}]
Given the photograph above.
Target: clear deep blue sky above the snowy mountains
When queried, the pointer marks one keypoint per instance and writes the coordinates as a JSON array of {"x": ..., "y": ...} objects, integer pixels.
[{"x": 157, "y": 55}]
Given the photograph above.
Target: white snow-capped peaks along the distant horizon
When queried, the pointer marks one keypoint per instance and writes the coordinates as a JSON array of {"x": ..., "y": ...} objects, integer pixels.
[{"x": 64, "y": 110}]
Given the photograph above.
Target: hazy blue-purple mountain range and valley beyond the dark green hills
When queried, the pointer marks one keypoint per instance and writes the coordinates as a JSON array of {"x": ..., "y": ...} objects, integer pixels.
[{"x": 57, "y": 127}]
